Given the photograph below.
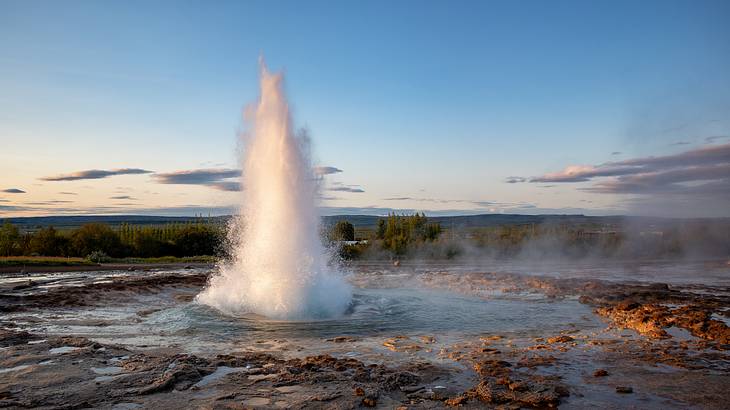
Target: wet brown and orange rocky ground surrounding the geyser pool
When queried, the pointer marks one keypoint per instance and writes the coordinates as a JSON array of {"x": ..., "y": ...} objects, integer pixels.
[{"x": 658, "y": 346}]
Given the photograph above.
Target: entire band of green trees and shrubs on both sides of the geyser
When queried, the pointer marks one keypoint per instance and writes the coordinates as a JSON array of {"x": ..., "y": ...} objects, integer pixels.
[{"x": 394, "y": 236}]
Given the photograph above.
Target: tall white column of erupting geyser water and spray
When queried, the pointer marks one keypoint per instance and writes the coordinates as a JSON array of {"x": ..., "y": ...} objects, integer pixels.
[{"x": 279, "y": 267}]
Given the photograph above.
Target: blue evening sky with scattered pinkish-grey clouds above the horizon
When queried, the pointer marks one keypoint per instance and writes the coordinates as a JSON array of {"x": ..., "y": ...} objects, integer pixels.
[{"x": 463, "y": 107}]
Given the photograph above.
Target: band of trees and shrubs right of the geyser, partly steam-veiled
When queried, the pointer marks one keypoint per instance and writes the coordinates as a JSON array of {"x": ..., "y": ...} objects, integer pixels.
[{"x": 415, "y": 236}]
